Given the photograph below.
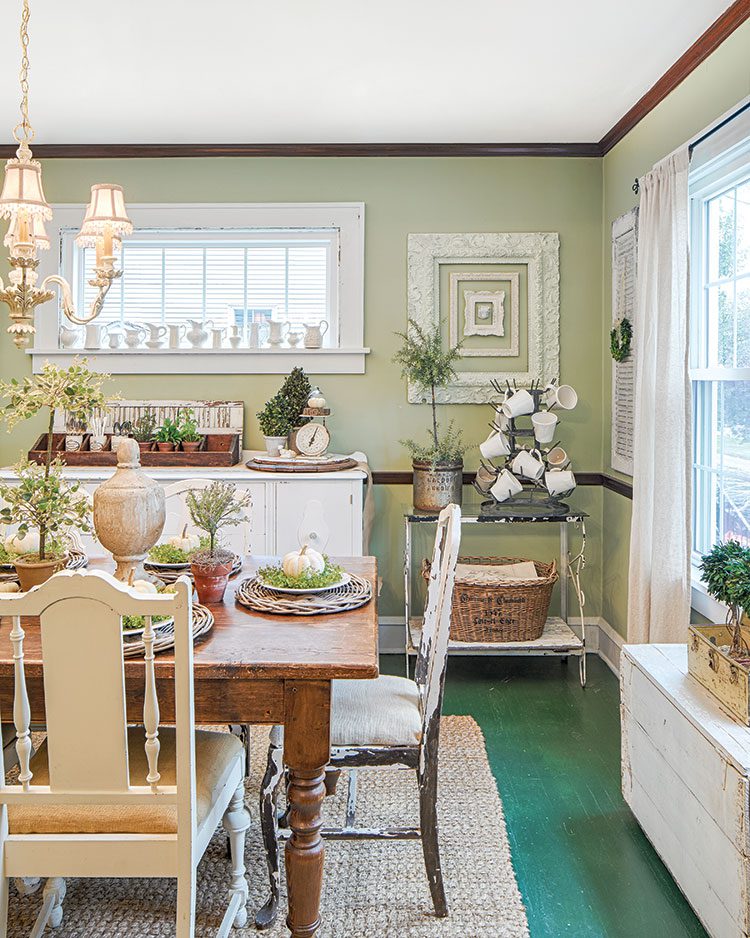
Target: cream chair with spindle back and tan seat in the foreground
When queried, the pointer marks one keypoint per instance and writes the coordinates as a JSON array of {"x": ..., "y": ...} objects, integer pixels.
[{"x": 100, "y": 798}]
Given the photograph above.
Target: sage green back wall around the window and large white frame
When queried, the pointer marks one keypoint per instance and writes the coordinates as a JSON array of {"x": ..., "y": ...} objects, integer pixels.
[{"x": 401, "y": 196}]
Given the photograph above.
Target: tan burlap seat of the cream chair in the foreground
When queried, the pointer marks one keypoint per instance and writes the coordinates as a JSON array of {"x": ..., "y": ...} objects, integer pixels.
[{"x": 215, "y": 755}]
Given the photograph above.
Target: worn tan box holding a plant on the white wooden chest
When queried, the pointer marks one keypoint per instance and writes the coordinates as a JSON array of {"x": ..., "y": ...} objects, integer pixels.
[{"x": 725, "y": 677}]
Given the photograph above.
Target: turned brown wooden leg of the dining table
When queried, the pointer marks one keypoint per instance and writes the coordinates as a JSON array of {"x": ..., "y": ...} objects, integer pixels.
[{"x": 307, "y": 749}]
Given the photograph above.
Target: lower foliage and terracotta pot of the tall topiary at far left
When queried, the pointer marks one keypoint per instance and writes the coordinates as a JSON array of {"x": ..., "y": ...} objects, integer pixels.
[{"x": 44, "y": 503}]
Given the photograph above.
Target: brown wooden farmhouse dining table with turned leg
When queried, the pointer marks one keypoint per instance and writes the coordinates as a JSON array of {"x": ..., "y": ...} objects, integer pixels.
[{"x": 256, "y": 668}]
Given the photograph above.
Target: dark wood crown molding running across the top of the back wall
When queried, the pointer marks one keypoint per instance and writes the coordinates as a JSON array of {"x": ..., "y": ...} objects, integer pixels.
[{"x": 165, "y": 150}]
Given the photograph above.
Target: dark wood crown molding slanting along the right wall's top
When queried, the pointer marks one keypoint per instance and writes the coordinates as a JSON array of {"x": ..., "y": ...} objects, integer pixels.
[{"x": 717, "y": 32}]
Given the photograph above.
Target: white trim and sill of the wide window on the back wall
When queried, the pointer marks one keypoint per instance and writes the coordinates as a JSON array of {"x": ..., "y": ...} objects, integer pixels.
[{"x": 347, "y": 358}]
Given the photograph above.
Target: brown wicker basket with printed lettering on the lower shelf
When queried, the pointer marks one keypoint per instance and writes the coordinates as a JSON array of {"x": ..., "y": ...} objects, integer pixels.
[{"x": 507, "y": 611}]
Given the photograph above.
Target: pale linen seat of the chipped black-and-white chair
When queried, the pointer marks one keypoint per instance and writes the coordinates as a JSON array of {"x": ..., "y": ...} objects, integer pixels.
[{"x": 383, "y": 712}]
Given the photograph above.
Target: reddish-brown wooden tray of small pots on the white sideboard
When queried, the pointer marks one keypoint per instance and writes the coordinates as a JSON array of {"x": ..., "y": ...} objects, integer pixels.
[{"x": 217, "y": 449}]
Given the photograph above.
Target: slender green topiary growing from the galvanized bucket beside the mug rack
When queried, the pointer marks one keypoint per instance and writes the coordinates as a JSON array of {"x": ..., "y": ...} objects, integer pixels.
[{"x": 426, "y": 364}]
